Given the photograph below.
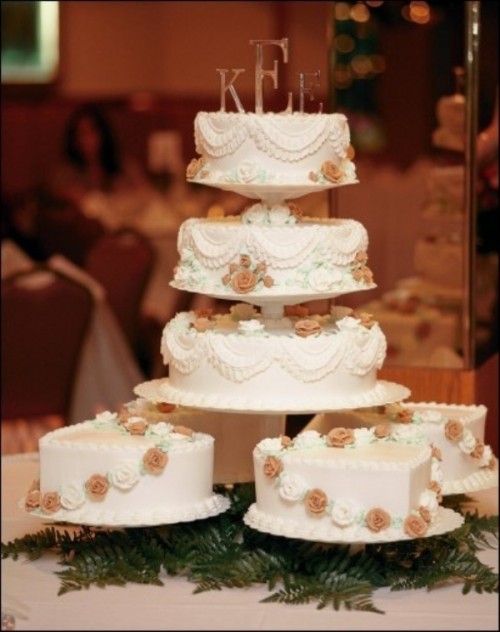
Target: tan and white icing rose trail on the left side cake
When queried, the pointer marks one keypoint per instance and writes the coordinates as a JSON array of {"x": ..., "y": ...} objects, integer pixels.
[{"x": 123, "y": 476}]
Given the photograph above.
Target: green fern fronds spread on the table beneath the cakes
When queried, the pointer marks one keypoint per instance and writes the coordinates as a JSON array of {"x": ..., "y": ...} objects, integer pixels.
[{"x": 222, "y": 552}]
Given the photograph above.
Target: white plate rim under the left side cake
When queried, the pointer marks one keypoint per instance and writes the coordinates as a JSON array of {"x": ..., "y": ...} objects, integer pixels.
[{"x": 99, "y": 517}]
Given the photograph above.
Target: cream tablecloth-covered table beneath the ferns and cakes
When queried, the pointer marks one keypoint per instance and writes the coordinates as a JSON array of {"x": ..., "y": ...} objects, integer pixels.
[{"x": 31, "y": 588}]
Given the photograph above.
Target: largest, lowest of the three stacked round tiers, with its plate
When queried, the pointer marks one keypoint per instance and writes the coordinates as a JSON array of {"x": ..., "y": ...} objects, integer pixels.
[{"x": 241, "y": 361}]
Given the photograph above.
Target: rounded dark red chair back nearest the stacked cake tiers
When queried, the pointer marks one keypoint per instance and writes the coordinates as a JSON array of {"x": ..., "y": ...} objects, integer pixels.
[{"x": 122, "y": 262}]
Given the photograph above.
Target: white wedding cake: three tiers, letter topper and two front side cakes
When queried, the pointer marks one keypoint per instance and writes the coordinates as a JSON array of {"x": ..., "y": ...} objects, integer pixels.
[{"x": 266, "y": 355}]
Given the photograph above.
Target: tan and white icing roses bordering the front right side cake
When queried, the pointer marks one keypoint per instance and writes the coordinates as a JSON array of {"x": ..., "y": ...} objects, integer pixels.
[{"x": 345, "y": 512}]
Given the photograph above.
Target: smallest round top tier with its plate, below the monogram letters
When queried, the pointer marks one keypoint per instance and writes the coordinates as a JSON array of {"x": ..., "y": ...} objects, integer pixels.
[{"x": 272, "y": 156}]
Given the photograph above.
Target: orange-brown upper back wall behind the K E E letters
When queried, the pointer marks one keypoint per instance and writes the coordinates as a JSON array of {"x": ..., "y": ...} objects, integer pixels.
[{"x": 174, "y": 48}]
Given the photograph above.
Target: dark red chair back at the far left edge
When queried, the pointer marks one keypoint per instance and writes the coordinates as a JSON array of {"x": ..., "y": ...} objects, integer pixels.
[{"x": 45, "y": 317}]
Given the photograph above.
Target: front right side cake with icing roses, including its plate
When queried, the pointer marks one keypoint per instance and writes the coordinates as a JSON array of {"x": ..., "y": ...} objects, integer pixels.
[{"x": 361, "y": 485}]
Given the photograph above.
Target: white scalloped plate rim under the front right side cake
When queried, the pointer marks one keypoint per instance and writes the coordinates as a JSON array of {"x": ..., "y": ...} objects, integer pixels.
[{"x": 446, "y": 520}]
